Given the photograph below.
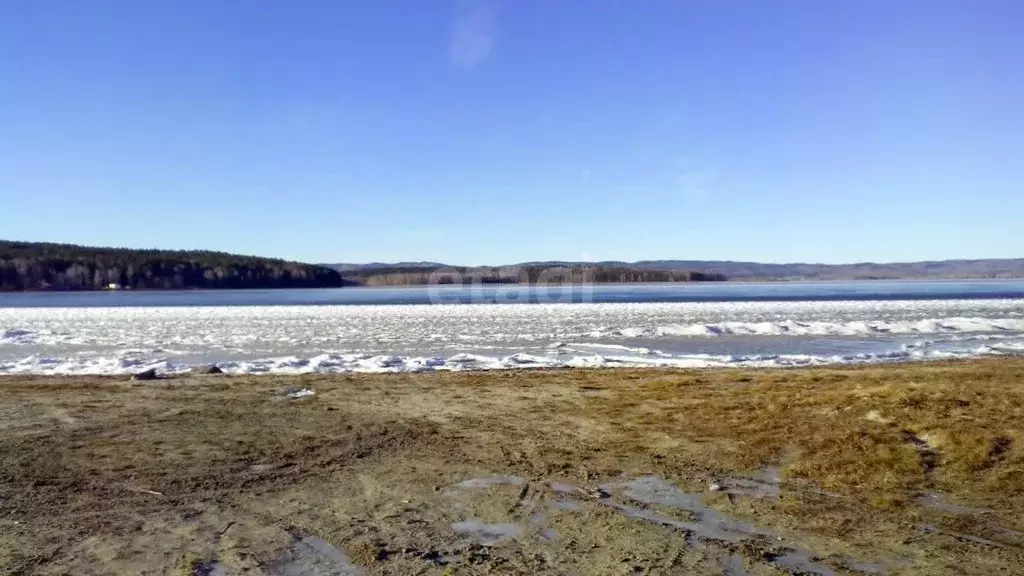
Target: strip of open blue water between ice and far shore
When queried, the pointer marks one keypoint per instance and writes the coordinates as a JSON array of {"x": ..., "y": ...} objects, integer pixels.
[{"x": 691, "y": 293}]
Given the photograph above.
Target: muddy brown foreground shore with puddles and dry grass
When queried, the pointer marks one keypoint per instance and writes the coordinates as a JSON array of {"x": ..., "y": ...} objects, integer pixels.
[{"x": 900, "y": 470}]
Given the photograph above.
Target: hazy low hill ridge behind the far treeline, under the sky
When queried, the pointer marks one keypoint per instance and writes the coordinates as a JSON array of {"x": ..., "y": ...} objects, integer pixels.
[{"x": 955, "y": 269}]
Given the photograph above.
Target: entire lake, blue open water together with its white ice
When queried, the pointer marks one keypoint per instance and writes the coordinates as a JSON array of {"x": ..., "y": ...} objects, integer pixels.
[{"x": 456, "y": 327}]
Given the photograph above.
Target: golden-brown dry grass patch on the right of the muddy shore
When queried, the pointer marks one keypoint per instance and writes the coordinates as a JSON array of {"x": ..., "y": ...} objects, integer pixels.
[{"x": 871, "y": 432}]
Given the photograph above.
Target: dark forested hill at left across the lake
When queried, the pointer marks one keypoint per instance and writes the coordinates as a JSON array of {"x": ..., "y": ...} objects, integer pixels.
[{"x": 33, "y": 266}]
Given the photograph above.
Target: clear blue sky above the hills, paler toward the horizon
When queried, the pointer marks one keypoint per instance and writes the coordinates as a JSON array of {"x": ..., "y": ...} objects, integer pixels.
[{"x": 494, "y": 132}]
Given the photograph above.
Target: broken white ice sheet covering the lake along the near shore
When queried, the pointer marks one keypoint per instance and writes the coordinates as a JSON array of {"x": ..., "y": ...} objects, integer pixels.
[{"x": 416, "y": 339}]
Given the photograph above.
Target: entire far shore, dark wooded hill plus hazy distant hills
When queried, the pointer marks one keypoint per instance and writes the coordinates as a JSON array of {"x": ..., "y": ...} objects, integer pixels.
[{"x": 38, "y": 267}]
